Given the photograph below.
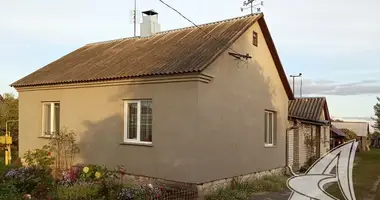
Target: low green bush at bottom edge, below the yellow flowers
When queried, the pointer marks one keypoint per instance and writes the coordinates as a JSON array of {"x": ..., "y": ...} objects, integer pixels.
[{"x": 78, "y": 191}]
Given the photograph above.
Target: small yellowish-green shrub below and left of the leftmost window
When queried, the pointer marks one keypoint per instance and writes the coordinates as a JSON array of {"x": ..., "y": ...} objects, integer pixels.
[{"x": 39, "y": 157}]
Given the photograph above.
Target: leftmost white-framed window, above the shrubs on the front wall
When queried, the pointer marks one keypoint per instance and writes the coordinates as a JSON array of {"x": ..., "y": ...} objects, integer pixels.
[{"x": 50, "y": 118}]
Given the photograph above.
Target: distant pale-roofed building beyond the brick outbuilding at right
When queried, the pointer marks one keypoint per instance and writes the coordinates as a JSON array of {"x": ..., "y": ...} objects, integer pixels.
[{"x": 361, "y": 129}]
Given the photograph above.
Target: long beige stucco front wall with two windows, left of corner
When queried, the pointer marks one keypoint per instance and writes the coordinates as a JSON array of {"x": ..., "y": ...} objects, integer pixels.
[{"x": 96, "y": 115}]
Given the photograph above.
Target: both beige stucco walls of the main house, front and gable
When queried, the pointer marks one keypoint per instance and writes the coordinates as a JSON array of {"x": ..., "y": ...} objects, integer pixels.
[{"x": 201, "y": 131}]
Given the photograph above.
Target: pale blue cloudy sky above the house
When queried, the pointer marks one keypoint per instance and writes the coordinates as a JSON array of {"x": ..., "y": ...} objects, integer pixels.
[{"x": 334, "y": 43}]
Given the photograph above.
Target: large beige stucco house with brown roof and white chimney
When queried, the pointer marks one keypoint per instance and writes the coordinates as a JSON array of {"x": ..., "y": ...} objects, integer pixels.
[{"x": 177, "y": 105}]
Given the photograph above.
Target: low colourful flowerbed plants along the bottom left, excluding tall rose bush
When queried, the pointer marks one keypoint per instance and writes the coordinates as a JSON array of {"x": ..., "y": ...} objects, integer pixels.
[{"x": 90, "y": 182}]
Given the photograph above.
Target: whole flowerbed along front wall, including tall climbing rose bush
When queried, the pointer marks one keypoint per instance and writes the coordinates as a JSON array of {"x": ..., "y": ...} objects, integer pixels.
[{"x": 48, "y": 174}]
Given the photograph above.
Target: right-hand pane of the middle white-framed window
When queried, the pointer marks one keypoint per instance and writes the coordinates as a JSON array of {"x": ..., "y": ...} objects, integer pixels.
[{"x": 146, "y": 121}]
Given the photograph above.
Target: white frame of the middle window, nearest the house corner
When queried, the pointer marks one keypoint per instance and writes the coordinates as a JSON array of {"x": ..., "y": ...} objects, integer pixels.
[{"x": 138, "y": 140}]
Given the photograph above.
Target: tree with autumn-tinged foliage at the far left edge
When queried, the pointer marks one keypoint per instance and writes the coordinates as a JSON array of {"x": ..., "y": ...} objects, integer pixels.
[{"x": 9, "y": 111}]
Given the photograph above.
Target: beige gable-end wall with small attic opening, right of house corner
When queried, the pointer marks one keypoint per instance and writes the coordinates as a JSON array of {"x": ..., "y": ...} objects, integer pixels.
[{"x": 239, "y": 94}]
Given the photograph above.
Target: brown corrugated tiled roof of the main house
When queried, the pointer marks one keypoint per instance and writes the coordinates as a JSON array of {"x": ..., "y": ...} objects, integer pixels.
[{"x": 186, "y": 50}]
